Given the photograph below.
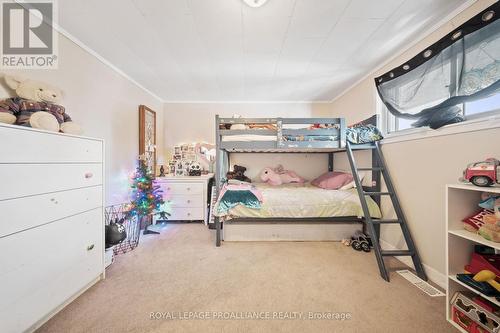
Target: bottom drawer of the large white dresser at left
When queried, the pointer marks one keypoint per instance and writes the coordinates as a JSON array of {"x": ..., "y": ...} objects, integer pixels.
[{"x": 44, "y": 266}]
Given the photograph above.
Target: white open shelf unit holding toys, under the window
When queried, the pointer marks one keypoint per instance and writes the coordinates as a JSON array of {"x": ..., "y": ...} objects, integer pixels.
[{"x": 462, "y": 201}]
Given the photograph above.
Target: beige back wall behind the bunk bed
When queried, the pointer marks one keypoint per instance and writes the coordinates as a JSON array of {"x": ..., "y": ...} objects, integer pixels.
[{"x": 195, "y": 122}]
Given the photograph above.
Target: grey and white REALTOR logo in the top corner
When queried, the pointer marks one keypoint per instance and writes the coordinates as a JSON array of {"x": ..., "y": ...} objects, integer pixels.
[{"x": 28, "y": 37}]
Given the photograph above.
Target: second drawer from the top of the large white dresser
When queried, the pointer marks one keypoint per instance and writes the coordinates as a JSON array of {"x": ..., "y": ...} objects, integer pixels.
[{"x": 18, "y": 180}]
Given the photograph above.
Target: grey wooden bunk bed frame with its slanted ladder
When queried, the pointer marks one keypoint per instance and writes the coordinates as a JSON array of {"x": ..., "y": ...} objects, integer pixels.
[{"x": 321, "y": 136}]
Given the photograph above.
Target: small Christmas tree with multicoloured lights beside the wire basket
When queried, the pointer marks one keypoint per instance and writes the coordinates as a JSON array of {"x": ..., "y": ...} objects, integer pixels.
[{"x": 146, "y": 196}]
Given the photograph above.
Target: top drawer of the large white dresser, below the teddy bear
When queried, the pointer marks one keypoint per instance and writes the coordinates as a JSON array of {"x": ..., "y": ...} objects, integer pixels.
[{"x": 24, "y": 145}]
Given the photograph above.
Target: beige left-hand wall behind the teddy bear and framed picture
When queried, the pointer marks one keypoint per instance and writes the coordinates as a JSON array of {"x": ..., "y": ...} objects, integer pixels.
[{"x": 105, "y": 104}]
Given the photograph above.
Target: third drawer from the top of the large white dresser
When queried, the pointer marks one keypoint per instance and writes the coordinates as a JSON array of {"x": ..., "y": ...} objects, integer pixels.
[{"x": 46, "y": 208}]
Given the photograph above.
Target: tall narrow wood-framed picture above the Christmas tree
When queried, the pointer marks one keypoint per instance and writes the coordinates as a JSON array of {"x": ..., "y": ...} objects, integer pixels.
[{"x": 147, "y": 137}]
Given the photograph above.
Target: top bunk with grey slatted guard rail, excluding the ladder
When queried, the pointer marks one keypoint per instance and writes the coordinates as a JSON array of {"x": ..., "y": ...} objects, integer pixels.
[{"x": 280, "y": 134}]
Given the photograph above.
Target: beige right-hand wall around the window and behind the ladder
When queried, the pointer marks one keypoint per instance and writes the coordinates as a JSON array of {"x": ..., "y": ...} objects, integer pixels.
[{"x": 421, "y": 168}]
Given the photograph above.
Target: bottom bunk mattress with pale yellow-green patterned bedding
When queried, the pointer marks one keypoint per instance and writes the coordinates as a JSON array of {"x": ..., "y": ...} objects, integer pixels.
[{"x": 302, "y": 201}]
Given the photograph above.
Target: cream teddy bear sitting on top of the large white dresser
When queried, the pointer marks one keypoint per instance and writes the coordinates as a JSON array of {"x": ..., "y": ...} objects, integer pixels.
[{"x": 37, "y": 106}]
